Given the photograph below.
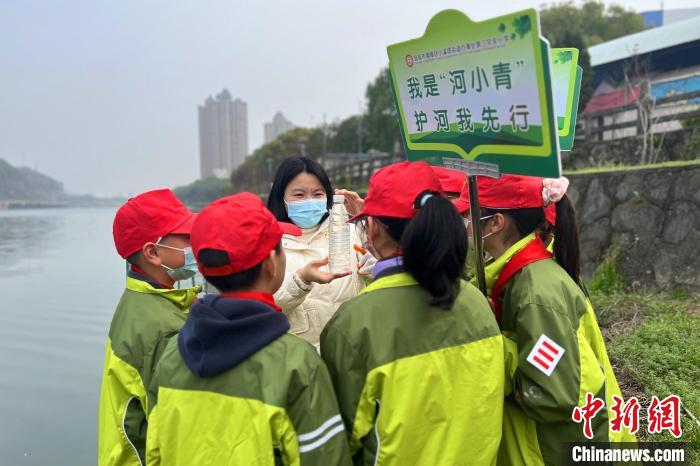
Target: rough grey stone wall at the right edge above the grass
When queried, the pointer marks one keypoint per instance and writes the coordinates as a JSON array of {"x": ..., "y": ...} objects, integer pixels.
[{"x": 653, "y": 214}]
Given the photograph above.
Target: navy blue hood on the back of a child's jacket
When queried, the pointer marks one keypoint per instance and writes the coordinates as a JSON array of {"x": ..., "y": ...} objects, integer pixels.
[{"x": 222, "y": 332}]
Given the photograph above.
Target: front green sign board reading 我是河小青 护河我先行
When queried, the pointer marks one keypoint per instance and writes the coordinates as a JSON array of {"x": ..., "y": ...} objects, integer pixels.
[{"x": 479, "y": 91}]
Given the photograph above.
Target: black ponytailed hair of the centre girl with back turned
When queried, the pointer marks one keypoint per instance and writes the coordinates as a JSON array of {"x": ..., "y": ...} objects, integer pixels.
[{"x": 434, "y": 245}]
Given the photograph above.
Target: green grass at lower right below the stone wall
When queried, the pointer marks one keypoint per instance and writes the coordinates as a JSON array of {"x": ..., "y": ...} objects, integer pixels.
[{"x": 654, "y": 344}]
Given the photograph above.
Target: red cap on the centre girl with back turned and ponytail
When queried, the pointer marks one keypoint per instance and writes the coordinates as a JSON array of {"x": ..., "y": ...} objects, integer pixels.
[{"x": 393, "y": 190}]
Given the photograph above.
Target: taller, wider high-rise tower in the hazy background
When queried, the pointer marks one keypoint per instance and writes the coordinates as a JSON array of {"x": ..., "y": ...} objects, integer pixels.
[{"x": 223, "y": 135}]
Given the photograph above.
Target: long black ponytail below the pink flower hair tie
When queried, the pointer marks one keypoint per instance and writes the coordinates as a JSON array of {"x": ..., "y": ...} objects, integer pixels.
[{"x": 566, "y": 243}]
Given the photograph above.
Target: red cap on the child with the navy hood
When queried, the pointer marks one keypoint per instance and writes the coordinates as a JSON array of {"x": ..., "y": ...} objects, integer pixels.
[{"x": 242, "y": 227}]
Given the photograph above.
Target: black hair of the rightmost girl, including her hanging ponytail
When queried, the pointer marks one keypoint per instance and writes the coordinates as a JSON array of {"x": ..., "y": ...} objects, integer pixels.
[{"x": 566, "y": 242}]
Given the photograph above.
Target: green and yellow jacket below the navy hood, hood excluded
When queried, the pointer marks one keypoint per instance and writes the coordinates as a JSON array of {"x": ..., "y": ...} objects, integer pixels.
[{"x": 275, "y": 407}]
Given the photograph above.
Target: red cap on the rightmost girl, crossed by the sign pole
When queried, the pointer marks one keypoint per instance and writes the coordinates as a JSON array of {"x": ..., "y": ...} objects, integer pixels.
[{"x": 506, "y": 192}]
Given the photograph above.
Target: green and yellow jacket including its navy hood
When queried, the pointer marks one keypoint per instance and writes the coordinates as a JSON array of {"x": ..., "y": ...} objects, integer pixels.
[{"x": 235, "y": 389}]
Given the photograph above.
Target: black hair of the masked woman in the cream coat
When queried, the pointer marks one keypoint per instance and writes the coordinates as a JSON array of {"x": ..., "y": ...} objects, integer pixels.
[{"x": 287, "y": 171}]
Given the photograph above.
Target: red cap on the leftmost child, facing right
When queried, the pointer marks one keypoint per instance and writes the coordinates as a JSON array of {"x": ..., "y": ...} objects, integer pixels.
[{"x": 148, "y": 217}]
